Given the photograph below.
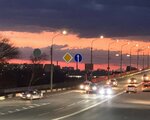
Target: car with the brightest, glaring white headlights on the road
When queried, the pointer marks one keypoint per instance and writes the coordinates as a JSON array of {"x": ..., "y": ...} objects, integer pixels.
[{"x": 105, "y": 90}]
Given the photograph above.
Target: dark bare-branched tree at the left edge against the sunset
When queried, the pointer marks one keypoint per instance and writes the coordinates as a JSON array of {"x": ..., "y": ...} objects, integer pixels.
[{"x": 7, "y": 50}]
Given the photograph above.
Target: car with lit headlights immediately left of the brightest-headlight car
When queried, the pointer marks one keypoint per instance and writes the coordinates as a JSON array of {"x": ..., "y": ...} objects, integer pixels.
[{"x": 91, "y": 88}]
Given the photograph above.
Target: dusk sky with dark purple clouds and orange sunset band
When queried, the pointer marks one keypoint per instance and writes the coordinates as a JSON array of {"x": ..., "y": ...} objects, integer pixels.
[{"x": 32, "y": 24}]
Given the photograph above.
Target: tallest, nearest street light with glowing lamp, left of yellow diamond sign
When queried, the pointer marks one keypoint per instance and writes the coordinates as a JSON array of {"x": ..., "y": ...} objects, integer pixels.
[{"x": 64, "y": 32}]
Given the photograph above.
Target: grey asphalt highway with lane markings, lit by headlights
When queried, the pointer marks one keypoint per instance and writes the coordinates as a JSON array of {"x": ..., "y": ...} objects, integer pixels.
[{"x": 74, "y": 105}]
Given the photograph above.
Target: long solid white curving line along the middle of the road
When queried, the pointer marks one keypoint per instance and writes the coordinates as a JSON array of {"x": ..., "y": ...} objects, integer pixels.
[{"x": 85, "y": 109}]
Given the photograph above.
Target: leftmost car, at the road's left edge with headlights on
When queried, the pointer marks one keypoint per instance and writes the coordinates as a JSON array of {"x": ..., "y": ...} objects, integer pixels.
[{"x": 31, "y": 95}]
